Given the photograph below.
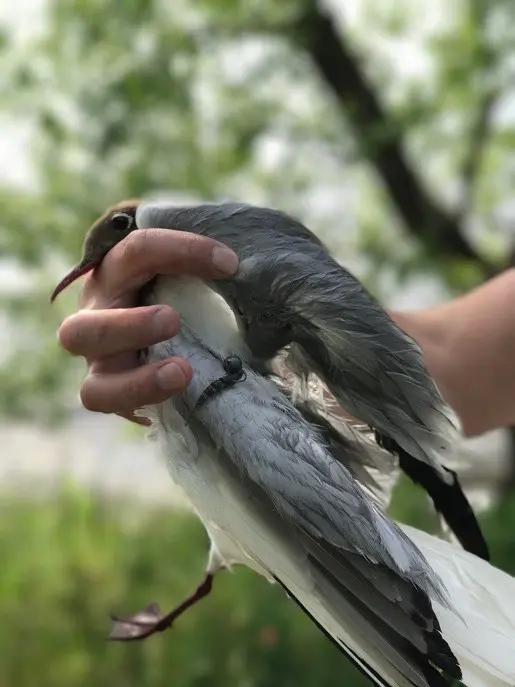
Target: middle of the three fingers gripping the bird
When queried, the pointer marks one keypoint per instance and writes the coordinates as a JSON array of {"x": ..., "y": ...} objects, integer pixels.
[{"x": 97, "y": 334}]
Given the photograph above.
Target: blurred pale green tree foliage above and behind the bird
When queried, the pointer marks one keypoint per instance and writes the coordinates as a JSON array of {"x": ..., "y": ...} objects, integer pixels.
[{"x": 220, "y": 98}]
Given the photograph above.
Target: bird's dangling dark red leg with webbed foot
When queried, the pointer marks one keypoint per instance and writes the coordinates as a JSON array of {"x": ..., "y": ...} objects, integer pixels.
[{"x": 149, "y": 621}]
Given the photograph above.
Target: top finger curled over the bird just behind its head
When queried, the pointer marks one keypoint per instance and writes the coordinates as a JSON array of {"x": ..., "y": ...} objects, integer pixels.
[{"x": 147, "y": 252}]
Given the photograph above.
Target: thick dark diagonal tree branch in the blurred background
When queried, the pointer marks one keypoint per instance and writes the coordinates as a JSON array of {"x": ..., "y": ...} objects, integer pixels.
[{"x": 380, "y": 139}]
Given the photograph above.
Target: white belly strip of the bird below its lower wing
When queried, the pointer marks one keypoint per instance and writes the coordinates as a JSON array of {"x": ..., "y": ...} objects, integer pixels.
[{"x": 230, "y": 517}]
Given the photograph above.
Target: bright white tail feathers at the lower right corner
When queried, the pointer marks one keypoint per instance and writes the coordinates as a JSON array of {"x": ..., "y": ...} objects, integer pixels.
[{"x": 483, "y": 639}]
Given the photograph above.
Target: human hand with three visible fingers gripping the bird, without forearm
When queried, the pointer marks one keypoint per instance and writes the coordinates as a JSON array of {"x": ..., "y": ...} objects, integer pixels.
[{"x": 108, "y": 331}]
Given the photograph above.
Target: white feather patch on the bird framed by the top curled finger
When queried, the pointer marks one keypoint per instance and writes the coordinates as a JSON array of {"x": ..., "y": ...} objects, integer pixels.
[{"x": 204, "y": 311}]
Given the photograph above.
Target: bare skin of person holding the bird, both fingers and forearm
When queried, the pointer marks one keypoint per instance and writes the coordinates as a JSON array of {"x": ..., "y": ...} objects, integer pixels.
[{"x": 468, "y": 343}]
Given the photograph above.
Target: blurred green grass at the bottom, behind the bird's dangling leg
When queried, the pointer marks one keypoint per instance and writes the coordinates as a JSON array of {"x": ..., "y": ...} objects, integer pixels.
[{"x": 67, "y": 564}]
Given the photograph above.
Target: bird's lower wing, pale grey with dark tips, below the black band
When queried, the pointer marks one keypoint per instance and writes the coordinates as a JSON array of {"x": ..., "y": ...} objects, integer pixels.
[{"x": 365, "y": 571}]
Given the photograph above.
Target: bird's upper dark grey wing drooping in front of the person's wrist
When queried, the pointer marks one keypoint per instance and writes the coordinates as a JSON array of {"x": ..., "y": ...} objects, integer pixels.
[{"x": 374, "y": 370}]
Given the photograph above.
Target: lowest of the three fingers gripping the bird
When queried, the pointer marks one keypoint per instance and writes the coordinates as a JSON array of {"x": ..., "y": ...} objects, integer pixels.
[{"x": 123, "y": 392}]
